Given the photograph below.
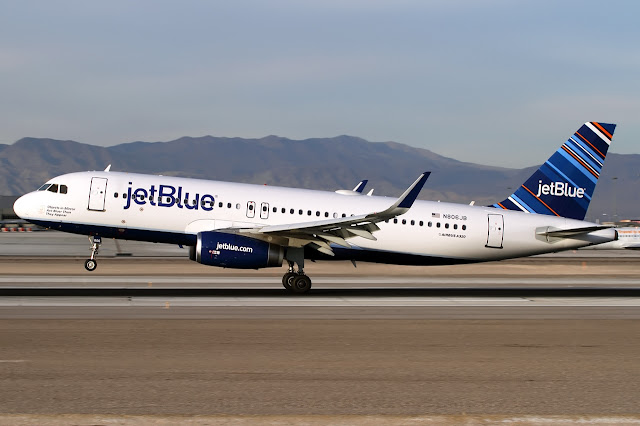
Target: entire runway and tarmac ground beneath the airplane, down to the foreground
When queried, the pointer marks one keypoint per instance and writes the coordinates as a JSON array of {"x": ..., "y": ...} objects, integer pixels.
[{"x": 165, "y": 341}]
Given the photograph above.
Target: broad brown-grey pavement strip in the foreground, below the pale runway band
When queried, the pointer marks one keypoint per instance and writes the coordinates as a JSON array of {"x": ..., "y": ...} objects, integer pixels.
[{"x": 320, "y": 367}]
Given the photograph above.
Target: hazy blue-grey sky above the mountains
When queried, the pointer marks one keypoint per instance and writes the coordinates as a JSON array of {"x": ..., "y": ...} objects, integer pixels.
[{"x": 493, "y": 82}]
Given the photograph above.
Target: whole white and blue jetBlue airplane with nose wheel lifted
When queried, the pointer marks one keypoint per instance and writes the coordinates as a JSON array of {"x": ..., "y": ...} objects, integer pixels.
[{"x": 236, "y": 225}]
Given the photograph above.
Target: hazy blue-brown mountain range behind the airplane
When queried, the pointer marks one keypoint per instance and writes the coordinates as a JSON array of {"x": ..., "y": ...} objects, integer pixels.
[{"x": 320, "y": 163}]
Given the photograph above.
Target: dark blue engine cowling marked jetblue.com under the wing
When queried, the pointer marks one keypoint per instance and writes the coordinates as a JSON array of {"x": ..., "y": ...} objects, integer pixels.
[{"x": 235, "y": 251}]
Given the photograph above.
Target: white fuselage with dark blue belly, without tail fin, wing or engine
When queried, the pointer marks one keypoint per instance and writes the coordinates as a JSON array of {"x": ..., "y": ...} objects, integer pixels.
[{"x": 173, "y": 210}]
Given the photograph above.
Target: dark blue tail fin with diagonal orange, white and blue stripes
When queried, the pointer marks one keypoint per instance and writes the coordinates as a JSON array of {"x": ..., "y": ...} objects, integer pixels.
[{"x": 564, "y": 184}]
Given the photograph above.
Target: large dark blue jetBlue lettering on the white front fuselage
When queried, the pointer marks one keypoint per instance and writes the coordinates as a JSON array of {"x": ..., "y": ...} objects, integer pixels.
[{"x": 168, "y": 196}]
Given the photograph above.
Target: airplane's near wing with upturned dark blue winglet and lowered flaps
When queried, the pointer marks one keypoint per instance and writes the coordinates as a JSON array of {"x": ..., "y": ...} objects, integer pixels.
[{"x": 319, "y": 234}]
